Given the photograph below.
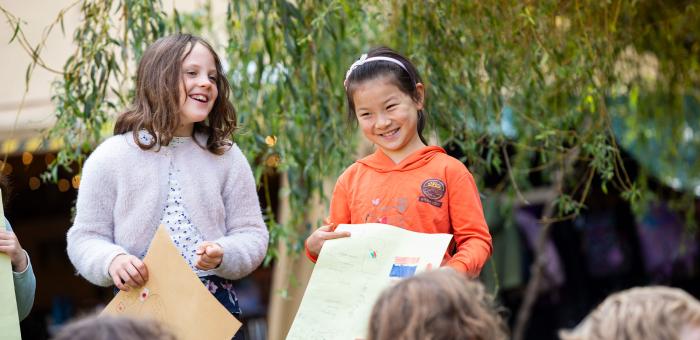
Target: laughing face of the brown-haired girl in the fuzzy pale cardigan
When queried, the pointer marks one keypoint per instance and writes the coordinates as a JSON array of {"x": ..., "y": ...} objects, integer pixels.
[{"x": 198, "y": 91}]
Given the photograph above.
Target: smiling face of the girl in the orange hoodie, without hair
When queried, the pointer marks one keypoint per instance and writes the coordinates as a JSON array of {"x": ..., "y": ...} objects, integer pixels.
[{"x": 388, "y": 117}]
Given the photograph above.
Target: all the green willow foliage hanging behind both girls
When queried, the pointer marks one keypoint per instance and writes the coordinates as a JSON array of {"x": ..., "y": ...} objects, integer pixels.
[{"x": 521, "y": 88}]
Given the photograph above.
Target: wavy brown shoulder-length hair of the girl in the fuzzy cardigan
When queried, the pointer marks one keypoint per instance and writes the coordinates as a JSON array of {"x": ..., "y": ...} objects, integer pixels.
[{"x": 157, "y": 97}]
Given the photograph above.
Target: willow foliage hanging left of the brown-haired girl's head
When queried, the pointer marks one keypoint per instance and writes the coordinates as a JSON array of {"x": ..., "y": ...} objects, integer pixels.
[{"x": 95, "y": 78}]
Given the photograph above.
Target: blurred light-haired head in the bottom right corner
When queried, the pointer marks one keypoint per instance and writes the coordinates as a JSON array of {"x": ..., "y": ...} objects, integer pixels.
[{"x": 641, "y": 313}]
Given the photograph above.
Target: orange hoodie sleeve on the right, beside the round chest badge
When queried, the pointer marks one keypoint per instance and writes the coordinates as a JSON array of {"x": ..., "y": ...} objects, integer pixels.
[{"x": 471, "y": 234}]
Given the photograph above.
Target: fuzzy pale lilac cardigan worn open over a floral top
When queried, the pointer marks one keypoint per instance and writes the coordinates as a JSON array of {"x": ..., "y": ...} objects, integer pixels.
[{"x": 123, "y": 192}]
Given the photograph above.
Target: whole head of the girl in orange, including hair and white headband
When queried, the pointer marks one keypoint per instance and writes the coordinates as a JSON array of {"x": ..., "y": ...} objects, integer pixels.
[{"x": 385, "y": 81}]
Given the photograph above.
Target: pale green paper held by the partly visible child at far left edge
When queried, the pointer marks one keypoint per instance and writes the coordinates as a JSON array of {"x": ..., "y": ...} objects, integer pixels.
[{"x": 9, "y": 319}]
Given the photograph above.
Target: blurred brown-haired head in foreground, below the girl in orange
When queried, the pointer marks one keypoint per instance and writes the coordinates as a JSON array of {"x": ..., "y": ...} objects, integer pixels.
[{"x": 437, "y": 305}]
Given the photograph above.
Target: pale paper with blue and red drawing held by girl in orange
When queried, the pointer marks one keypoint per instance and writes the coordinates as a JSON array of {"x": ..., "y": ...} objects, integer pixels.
[{"x": 351, "y": 273}]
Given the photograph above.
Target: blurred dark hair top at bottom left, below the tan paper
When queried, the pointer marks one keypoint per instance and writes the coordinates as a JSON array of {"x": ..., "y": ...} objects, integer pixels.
[{"x": 113, "y": 328}]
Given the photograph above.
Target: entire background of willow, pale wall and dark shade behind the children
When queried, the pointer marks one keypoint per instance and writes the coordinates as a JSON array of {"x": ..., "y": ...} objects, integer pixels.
[{"x": 580, "y": 121}]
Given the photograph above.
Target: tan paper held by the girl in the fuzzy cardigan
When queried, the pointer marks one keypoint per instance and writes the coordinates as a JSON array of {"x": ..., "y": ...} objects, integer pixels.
[{"x": 175, "y": 297}]
